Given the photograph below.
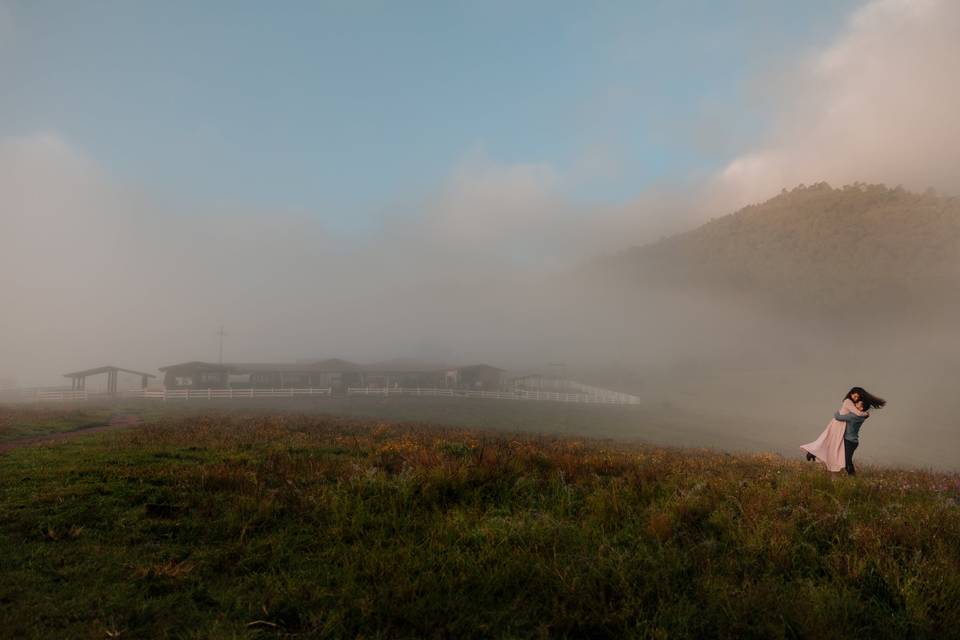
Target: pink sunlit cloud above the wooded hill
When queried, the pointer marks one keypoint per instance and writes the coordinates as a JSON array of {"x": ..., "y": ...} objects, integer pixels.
[{"x": 877, "y": 105}]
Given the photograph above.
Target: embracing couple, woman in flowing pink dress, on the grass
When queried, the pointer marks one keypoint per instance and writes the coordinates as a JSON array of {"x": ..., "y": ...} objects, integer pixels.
[{"x": 839, "y": 440}]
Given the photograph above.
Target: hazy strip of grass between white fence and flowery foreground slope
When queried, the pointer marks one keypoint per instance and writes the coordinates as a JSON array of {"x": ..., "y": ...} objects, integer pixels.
[{"x": 889, "y": 438}]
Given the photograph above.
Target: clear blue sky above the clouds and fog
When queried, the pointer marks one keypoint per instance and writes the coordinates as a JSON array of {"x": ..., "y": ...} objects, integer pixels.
[{"x": 344, "y": 109}]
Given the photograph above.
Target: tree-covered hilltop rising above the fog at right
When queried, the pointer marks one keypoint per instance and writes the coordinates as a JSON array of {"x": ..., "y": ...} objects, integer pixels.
[{"x": 813, "y": 249}]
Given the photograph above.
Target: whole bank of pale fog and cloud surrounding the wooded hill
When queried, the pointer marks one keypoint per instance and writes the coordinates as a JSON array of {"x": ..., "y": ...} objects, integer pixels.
[{"x": 486, "y": 266}]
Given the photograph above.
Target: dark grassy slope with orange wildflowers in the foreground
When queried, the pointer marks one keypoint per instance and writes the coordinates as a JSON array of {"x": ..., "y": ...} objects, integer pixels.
[{"x": 232, "y": 525}]
